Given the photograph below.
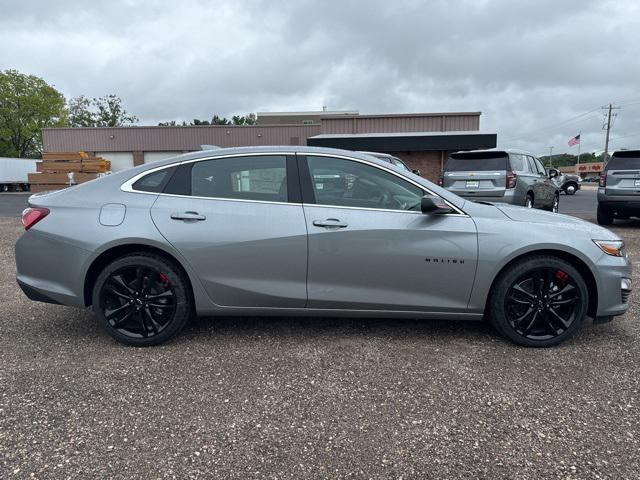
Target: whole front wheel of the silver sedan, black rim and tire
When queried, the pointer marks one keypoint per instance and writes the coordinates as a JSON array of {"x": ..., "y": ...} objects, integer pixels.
[{"x": 541, "y": 327}]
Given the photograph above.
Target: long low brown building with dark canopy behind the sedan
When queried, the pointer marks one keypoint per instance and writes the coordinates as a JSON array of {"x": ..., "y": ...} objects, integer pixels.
[{"x": 422, "y": 140}]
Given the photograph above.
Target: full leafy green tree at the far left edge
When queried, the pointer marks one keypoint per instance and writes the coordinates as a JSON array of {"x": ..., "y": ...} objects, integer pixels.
[{"x": 27, "y": 105}]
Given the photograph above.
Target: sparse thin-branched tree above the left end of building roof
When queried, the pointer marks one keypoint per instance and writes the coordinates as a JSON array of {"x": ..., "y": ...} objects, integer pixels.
[{"x": 105, "y": 111}]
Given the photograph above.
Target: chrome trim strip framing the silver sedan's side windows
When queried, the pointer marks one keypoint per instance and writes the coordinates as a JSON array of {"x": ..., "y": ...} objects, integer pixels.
[{"x": 128, "y": 185}]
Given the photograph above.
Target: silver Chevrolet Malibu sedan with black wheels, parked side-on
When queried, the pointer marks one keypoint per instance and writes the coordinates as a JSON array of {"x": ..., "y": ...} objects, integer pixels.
[{"x": 309, "y": 231}]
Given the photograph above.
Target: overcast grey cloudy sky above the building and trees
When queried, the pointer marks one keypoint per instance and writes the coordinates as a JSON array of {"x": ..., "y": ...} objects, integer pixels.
[{"x": 539, "y": 71}]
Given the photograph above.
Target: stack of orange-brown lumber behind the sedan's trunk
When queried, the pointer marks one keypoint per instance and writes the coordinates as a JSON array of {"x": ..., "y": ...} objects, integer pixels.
[{"x": 61, "y": 170}]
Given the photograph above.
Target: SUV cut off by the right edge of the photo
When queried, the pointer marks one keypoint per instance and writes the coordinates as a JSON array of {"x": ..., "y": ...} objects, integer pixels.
[{"x": 619, "y": 189}]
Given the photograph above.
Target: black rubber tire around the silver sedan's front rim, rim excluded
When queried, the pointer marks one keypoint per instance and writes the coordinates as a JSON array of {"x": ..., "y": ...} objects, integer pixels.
[{"x": 507, "y": 279}]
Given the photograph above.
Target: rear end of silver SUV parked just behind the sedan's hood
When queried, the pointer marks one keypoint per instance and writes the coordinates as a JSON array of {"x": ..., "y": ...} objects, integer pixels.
[{"x": 481, "y": 174}]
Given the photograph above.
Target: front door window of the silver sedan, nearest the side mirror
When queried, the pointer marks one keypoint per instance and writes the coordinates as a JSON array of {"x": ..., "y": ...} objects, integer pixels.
[{"x": 348, "y": 183}]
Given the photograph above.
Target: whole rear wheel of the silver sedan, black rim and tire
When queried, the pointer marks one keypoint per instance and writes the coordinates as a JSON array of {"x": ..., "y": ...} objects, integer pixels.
[{"x": 142, "y": 299}]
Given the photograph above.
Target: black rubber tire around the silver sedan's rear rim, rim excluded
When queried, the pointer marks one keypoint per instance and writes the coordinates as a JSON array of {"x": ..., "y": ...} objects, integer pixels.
[{"x": 177, "y": 281}]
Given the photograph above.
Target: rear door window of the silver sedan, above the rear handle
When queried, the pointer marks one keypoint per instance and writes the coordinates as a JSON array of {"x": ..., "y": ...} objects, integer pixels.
[{"x": 243, "y": 178}]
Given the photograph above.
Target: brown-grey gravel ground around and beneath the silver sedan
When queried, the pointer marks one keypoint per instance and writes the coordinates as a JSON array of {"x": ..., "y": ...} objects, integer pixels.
[{"x": 312, "y": 398}]
